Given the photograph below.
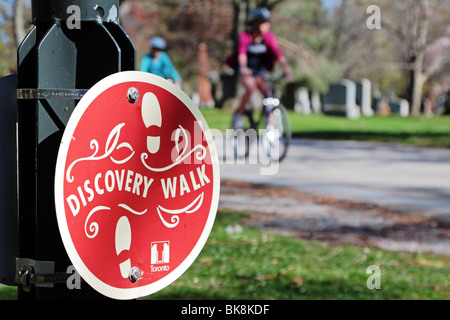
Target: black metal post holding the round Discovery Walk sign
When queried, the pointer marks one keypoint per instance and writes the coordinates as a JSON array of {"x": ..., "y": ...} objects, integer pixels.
[{"x": 72, "y": 45}]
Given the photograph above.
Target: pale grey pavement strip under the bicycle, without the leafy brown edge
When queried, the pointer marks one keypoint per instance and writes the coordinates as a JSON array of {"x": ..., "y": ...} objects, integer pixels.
[{"x": 402, "y": 178}]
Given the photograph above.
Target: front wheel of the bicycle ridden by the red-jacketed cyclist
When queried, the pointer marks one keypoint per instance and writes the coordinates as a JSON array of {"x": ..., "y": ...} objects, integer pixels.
[{"x": 277, "y": 134}]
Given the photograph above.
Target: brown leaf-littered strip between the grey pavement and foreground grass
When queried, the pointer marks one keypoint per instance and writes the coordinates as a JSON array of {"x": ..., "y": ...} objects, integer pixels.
[{"x": 309, "y": 216}]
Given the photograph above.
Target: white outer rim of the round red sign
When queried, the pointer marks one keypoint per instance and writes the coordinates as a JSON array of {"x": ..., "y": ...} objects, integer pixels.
[{"x": 82, "y": 106}]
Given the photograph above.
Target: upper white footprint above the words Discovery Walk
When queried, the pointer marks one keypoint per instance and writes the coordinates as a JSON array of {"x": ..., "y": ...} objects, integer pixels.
[{"x": 151, "y": 114}]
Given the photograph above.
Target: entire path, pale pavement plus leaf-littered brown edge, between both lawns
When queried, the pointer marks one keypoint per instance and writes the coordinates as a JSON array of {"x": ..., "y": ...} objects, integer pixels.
[{"x": 391, "y": 197}]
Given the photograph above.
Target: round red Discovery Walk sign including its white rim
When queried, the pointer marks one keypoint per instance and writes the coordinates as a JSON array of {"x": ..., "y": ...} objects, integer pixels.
[{"x": 136, "y": 186}]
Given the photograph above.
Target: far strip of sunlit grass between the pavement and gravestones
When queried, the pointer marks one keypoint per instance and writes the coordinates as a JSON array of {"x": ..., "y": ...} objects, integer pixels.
[{"x": 419, "y": 131}]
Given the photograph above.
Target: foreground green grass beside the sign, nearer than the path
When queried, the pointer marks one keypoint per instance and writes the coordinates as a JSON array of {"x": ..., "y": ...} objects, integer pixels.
[{"x": 256, "y": 264}]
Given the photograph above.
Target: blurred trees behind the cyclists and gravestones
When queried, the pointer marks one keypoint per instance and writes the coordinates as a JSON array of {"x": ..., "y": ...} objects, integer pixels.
[{"x": 408, "y": 57}]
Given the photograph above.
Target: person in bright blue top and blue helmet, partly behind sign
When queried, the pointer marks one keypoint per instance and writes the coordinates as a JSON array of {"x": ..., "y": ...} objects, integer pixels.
[{"x": 158, "y": 62}]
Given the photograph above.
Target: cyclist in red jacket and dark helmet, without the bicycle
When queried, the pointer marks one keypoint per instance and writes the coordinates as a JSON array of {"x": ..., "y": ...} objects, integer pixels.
[{"x": 258, "y": 51}]
